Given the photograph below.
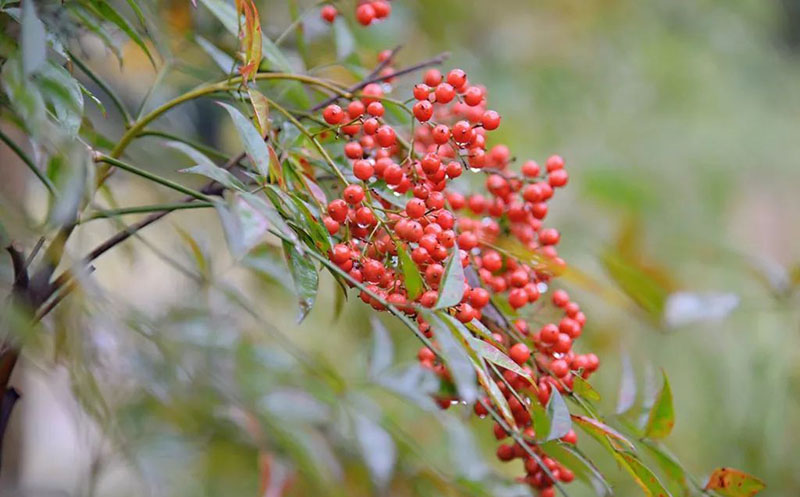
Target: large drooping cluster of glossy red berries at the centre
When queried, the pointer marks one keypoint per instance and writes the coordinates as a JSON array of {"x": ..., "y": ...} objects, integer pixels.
[{"x": 403, "y": 202}]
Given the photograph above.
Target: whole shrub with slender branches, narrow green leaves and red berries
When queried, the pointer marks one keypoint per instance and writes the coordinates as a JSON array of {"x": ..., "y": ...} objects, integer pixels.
[{"x": 393, "y": 184}]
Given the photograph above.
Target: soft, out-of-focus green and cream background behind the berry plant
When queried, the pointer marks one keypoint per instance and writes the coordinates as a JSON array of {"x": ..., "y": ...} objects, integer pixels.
[{"x": 680, "y": 124}]
